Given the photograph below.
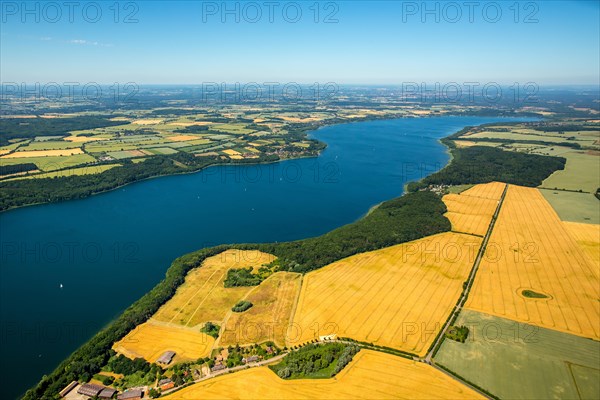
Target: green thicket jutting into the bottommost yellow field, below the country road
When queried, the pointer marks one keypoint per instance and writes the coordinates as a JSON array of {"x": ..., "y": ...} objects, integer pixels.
[{"x": 315, "y": 360}]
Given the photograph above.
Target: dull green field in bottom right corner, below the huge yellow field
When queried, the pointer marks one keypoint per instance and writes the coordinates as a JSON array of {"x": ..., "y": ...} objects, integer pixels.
[{"x": 518, "y": 361}]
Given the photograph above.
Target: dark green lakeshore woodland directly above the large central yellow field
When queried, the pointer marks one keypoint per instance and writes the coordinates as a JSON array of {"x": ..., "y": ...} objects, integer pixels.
[{"x": 410, "y": 217}]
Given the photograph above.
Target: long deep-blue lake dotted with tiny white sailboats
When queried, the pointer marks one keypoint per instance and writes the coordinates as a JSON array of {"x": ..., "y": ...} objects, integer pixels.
[{"x": 68, "y": 269}]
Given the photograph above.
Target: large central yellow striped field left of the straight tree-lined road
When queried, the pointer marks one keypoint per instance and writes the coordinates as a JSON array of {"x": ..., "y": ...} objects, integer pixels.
[{"x": 397, "y": 297}]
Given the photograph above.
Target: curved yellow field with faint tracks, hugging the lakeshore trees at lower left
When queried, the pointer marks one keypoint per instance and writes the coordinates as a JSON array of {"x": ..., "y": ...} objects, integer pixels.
[{"x": 202, "y": 297}]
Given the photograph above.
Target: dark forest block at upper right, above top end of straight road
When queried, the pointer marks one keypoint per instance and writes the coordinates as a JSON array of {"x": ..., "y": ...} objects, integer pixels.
[{"x": 482, "y": 164}]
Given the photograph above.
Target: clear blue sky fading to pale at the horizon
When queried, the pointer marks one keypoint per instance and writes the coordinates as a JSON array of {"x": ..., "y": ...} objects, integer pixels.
[{"x": 346, "y": 42}]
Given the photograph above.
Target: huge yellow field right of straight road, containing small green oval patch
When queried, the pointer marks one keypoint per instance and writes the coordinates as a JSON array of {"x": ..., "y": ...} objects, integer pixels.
[{"x": 531, "y": 249}]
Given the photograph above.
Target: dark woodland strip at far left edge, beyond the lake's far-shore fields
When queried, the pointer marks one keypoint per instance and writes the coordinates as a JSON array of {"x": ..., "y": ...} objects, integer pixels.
[{"x": 28, "y": 128}]
